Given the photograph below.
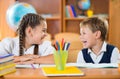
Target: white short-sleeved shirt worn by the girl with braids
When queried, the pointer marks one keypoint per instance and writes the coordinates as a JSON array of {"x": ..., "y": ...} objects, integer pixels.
[{"x": 11, "y": 45}]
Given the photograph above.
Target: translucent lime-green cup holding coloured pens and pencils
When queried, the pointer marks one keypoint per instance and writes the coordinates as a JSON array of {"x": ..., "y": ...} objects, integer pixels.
[{"x": 60, "y": 59}]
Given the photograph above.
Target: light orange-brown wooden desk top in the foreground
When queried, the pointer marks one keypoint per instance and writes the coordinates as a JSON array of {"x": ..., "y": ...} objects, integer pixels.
[{"x": 90, "y": 73}]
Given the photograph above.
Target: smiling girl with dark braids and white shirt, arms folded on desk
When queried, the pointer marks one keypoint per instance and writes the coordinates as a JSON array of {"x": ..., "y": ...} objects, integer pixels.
[{"x": 29, "y": 47}]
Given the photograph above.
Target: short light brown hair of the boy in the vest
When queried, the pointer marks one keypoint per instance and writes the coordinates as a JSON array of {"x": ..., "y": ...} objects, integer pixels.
[{"x": 96, "y": 24}]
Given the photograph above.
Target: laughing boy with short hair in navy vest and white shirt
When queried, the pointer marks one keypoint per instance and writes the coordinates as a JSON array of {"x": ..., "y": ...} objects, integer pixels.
[{"x": 93, "y": 34}]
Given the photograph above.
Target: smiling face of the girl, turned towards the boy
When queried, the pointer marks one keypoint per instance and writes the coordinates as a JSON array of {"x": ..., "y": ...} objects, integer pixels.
[{"x": 38, "y": 33}]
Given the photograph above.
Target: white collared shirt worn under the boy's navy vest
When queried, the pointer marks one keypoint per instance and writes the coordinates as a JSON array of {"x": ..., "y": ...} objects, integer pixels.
[{"x": 96, "y": 59}]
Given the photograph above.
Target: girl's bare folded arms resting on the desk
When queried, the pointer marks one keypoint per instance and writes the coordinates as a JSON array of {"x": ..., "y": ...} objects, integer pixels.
[{"x": 34, "y": 59}]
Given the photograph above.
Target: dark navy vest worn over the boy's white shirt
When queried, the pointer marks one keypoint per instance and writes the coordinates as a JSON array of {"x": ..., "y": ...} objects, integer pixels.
[{"x": 106, "y": 56}]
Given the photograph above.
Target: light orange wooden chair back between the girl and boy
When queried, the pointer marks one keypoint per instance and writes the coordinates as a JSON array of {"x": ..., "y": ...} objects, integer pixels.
[{"x": 75, "y": 42}]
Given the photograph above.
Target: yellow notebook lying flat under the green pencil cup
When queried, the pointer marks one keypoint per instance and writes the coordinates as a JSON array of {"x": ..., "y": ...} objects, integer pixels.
[{"x": 69, "y": 71}]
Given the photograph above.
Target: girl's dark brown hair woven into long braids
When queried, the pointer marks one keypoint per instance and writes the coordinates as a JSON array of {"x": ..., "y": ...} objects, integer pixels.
[{"x": 29, "y": 20}]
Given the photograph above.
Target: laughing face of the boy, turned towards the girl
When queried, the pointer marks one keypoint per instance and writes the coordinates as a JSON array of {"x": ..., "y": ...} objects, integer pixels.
[{"x": 87, "y": 37}]
